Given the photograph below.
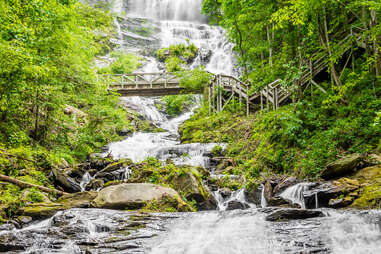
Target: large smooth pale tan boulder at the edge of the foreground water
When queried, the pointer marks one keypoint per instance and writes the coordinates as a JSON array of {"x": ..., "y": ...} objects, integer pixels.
[{"x": 131, "y": 195}]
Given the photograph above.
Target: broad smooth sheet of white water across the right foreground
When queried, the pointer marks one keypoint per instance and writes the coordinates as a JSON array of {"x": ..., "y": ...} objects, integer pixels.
[{"x": 243, "y": 232}]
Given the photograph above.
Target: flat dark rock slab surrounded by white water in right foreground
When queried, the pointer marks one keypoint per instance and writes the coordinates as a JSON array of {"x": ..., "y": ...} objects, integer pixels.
[{"x": 293, "y": 214}]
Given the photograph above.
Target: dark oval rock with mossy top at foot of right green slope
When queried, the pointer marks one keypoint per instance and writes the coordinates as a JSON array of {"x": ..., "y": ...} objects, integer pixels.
[{"x": 343, "y": 167}]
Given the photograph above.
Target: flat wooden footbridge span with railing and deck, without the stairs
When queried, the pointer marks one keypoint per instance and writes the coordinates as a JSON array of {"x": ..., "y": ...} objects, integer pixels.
[{"x": 143, "y": 84}]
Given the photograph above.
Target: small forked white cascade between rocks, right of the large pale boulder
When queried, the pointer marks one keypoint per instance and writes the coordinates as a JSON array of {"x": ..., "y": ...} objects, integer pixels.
[{"x": 237, "y": 197}]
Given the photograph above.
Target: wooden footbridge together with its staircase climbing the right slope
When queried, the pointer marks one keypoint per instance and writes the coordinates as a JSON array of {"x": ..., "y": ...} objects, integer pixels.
[{"x": 223, "y": 88}]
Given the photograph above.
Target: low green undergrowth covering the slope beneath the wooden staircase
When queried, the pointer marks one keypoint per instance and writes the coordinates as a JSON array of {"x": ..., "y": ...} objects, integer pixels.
[{"x": 299, "y": 139}]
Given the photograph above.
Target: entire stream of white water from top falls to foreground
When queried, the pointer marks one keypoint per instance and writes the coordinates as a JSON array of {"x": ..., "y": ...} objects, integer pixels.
[{"x": 206, "y": 232}]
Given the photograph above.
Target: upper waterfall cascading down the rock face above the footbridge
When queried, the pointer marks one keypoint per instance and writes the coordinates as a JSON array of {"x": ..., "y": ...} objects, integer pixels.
[{"x": 144, "y": 26}]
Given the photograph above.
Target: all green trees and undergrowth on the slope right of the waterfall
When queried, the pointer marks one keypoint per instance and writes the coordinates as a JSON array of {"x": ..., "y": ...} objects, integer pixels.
[{"x": 337, "y": 114}]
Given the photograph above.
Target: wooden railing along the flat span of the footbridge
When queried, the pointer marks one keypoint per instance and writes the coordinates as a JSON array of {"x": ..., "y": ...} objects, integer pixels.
[{"x": 139, "y": 80}]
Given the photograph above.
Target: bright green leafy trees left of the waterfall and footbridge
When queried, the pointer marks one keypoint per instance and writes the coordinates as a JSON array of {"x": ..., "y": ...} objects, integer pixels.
[{"x": 47, "y": 51}]
